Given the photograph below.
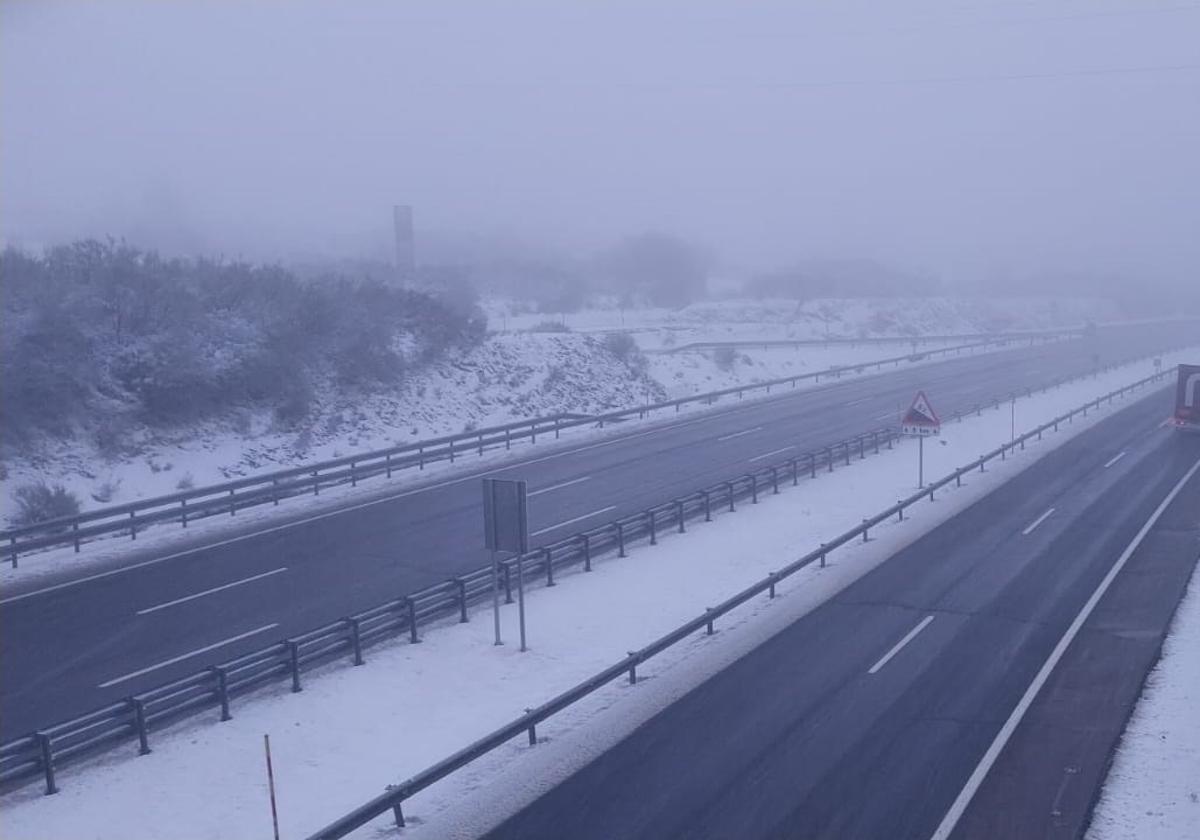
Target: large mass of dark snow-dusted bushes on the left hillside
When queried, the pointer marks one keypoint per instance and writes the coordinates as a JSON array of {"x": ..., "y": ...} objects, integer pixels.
[{"x": 95, "y": 332}]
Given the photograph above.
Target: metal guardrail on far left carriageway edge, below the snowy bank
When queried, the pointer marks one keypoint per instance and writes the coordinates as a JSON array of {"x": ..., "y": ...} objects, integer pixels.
[{"x": 227, "y": 499}]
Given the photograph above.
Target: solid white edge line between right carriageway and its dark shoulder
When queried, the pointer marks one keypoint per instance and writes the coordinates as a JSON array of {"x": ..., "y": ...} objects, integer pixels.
[{"x": 981, "y": 772}]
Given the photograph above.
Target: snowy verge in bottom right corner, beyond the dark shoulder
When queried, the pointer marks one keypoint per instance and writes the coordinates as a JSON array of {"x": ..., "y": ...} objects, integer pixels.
[{"x": 1154, "y": 788}]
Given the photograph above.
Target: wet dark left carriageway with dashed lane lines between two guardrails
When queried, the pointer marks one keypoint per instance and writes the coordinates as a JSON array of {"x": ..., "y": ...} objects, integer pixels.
[{"x": 74, "y": 643}]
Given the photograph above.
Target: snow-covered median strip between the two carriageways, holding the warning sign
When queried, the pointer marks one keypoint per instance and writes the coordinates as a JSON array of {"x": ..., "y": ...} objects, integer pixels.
[{"x": 355, "y": 730}]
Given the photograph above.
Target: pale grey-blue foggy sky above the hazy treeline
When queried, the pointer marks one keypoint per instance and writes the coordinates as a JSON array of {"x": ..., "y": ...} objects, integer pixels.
[{"x": 957, "y": 139}]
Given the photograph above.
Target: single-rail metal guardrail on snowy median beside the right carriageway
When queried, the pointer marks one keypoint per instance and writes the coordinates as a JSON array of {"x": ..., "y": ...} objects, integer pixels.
[{"x": 394, "y": 797}]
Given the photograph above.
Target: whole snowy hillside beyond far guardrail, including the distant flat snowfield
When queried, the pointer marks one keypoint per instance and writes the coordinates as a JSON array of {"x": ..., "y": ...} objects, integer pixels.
[{"x": 511, "y": 376}]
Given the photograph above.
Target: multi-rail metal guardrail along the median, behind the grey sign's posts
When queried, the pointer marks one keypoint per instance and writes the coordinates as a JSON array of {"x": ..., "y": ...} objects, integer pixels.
[{"x": 40, "y": 753}]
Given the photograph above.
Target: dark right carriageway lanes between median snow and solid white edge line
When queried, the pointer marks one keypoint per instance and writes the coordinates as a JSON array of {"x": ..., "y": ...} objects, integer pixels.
[{"x": 866, "y": 718}]
